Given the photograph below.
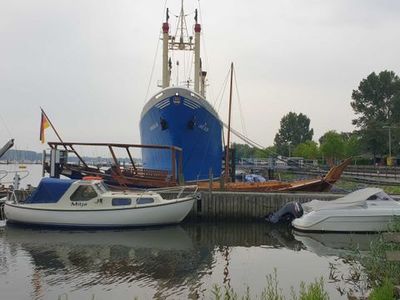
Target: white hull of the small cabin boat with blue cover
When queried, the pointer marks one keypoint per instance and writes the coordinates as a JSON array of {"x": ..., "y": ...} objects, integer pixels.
[{"x": 168, "y": 213}]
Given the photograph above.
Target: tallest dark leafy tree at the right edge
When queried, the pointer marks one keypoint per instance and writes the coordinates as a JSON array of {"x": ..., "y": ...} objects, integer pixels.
[{"x": 376, "y": 104}]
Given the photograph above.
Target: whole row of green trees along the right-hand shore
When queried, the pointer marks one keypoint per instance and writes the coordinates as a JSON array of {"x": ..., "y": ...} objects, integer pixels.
[{"x": 376, "y": 104}]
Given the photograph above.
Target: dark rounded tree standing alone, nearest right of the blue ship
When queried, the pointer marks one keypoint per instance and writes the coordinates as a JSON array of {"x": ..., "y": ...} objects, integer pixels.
[{"x": 294, "y": 130}]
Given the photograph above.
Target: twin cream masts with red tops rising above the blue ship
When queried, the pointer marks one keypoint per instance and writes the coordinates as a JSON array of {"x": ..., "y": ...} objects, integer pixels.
[{"x": 181, "y": 41}]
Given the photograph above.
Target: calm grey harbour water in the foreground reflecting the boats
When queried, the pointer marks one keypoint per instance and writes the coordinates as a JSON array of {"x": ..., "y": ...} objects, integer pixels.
[{"x": 174, "y": 262}]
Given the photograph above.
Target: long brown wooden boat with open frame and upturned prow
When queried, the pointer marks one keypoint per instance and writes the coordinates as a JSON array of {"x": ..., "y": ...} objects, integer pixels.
[{"x": 133, "y": 176}]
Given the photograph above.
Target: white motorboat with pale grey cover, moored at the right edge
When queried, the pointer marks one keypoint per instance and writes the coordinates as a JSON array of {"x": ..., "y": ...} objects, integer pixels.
[{"x": 365, "y": 210}]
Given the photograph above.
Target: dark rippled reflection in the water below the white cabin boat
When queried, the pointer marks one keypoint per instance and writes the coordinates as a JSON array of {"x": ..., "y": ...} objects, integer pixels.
[{"x": 163, "y": 255}]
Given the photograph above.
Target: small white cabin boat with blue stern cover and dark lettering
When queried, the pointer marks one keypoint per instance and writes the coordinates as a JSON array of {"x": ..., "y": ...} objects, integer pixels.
[{"x": 89, "y": 203}]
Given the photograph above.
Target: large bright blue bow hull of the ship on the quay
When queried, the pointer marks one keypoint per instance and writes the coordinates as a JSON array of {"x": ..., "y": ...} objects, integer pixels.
[{"x": 179, "y": 117}]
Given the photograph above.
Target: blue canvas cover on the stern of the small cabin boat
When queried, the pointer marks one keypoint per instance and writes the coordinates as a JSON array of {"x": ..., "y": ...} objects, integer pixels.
[{"x": 50, "y": 190}]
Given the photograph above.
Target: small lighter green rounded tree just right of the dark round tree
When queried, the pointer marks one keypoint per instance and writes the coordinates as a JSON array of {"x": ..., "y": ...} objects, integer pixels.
[{"x": 332, "y": 146}]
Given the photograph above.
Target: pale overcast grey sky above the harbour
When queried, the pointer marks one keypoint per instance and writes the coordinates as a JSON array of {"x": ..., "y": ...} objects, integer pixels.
[{"x": 89, "y": 63}]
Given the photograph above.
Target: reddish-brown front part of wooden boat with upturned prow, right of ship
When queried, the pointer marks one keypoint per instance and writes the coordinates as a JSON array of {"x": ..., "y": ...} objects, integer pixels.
[{"x": 321, "y": 184}]
